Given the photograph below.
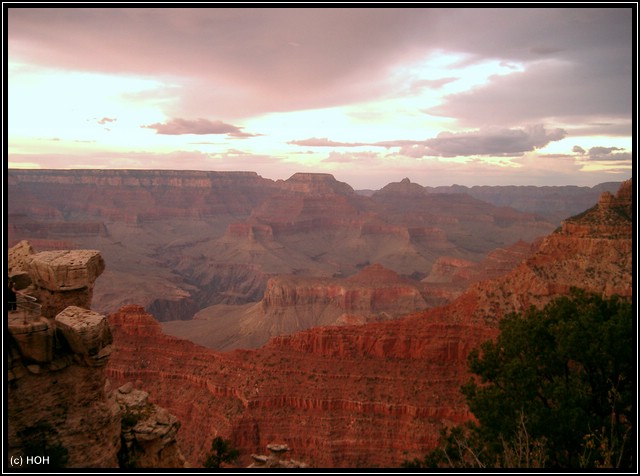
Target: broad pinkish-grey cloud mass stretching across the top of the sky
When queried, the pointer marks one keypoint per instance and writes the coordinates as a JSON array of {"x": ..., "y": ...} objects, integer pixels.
[{"x": 235, "y": 62}]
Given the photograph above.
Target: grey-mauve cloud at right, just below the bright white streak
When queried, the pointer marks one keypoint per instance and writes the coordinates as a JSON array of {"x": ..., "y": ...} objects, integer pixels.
[{"x": 545, "y": 90}]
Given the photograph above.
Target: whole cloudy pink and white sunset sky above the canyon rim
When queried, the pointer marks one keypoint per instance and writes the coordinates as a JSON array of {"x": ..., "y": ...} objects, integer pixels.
[{"x": 442, "y": 96}]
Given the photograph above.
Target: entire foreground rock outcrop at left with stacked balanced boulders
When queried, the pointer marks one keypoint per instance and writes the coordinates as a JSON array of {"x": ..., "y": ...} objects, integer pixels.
[{"x": 61, "y": 410}]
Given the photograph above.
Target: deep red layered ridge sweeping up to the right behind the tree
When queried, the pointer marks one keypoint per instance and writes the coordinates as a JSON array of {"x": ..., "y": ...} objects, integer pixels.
[{"x": 371, "y": 395}]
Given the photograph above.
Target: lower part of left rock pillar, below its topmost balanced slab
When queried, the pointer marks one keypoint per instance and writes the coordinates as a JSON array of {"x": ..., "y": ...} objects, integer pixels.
[{"x": 58, "y": 401}]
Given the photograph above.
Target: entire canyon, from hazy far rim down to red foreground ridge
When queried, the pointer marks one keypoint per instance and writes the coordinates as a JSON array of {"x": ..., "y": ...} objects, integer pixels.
[{"x": 373, "y": 384}]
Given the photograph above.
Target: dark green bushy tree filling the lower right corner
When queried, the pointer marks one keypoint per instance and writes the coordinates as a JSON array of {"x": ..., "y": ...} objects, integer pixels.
[{"x": 556, "y": 388}]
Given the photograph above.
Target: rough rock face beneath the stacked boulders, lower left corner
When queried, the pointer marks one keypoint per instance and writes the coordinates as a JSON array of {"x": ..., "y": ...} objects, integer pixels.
[{"x": 62, "y": 408}]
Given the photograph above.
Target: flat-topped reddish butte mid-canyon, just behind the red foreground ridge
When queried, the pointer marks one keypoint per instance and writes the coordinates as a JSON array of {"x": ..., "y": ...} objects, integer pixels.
[{"x": 294, "y": 303}]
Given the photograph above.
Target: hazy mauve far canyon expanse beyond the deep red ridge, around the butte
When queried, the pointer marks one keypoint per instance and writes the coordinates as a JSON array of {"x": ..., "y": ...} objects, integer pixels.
[{"x": 193, "y": 246}]
